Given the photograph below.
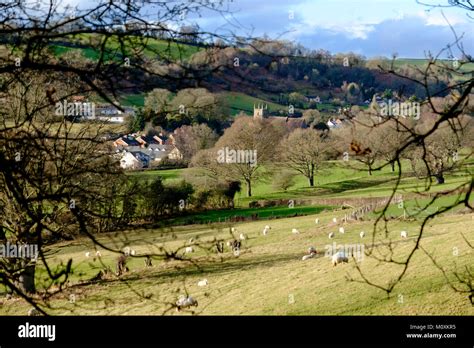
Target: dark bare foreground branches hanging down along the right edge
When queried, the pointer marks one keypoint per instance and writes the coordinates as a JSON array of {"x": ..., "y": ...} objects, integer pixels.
[{"x": 442, "y": 129}]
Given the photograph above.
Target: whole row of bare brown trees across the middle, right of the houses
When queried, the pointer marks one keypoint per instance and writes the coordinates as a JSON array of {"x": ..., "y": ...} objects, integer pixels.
[{"x": 366, "y": 137}]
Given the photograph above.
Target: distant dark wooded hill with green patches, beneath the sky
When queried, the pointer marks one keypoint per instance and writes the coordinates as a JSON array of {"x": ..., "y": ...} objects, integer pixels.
[{"x": 258, "y": 78}]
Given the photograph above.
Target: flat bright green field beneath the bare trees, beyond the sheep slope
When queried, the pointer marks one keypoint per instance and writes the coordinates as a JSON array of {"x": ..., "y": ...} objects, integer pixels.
[{"x": 334, "y": 180}]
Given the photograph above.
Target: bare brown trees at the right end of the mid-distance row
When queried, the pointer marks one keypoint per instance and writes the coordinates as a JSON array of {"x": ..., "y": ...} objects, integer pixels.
[{"x": 372, "y": 139}]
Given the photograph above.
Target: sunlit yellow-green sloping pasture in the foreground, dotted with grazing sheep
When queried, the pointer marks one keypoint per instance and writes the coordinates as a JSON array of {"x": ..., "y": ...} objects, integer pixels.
[{"x": 268, "y": 277}]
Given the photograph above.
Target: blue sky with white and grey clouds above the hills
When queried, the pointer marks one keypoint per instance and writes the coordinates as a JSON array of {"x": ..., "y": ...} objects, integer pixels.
[{"x": 367, "y": 27}]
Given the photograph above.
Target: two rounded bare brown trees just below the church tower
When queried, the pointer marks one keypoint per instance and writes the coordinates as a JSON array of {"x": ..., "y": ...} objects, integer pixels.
[{"x": 302, "y": 150}]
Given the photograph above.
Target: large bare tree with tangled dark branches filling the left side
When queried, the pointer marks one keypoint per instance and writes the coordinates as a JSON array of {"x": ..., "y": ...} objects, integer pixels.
[{"x": 57, "y": 179}]
